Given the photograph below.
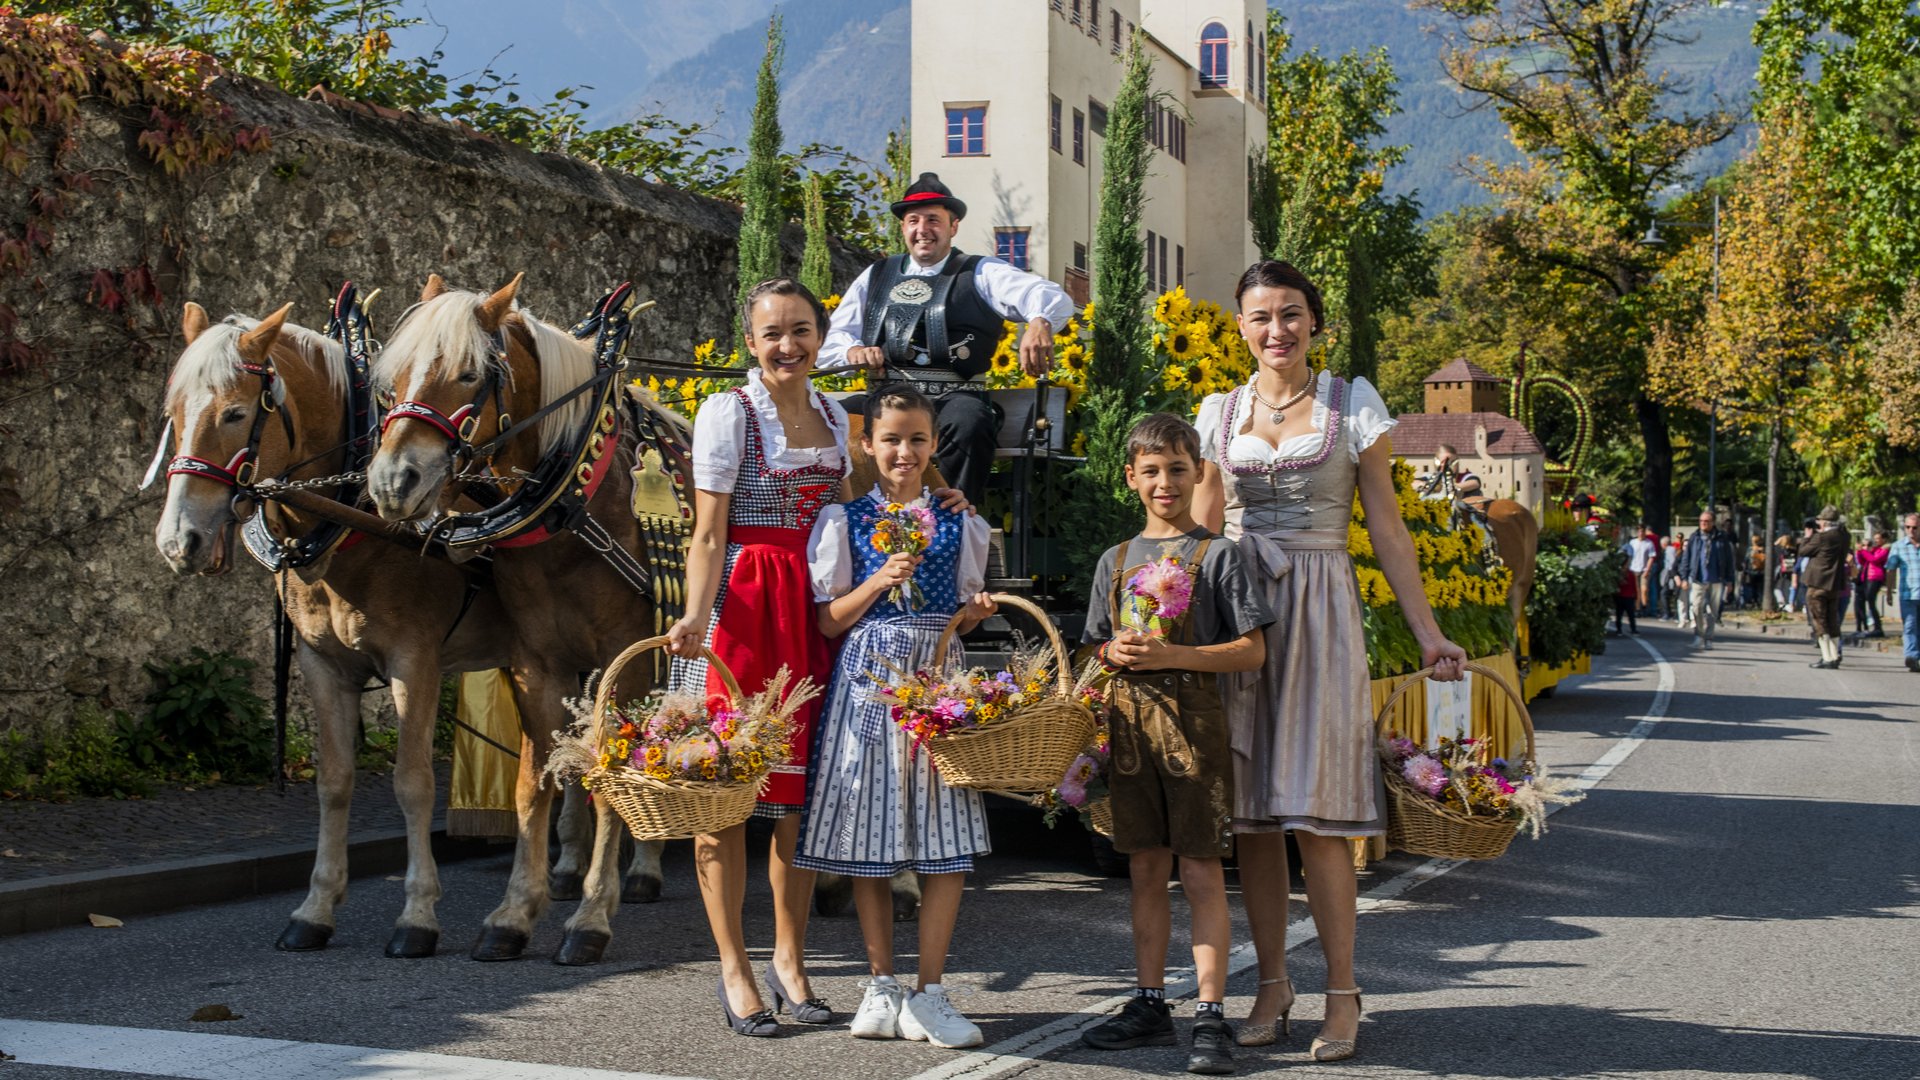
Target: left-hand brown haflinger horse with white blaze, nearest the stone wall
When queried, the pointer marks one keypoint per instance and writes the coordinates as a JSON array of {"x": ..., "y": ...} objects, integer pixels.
[{"x": 268, "y": 399}]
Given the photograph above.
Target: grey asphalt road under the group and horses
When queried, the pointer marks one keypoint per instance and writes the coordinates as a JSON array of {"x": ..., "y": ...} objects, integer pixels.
[{"x": 1735, "y": 898}]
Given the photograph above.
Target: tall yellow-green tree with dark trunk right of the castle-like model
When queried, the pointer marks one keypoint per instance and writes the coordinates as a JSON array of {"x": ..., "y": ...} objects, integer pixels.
[{"x": 1600, "y": 134}]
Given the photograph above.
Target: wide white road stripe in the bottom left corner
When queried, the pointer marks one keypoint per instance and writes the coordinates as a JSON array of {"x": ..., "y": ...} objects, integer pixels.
[{"x": 235, "y": 1058}]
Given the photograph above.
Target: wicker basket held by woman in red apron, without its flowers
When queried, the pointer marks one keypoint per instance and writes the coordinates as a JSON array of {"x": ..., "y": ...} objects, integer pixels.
[{"x": 669, "y": 810}]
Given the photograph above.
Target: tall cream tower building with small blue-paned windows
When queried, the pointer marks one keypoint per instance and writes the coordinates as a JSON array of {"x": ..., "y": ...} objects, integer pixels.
[{"x": 1011, "y": 109}]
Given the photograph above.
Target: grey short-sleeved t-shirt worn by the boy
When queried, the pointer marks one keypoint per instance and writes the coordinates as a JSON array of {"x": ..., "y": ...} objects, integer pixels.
[{"x": 1226, "y": 602}]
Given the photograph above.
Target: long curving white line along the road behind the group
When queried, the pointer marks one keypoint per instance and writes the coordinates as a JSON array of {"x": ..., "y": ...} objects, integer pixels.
[{"x": 1034, "y": 1044}]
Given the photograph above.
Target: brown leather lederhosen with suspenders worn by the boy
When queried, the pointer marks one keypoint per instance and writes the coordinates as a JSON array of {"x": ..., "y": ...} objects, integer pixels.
[{"x": 1172, "y": 770}]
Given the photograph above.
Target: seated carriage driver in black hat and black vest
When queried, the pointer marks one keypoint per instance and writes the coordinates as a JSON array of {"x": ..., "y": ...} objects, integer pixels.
[{"x": 934, "y": 318}]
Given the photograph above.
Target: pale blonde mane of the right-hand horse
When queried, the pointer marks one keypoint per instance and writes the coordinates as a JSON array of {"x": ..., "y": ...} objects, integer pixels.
[{"x": 448, "y": 328}]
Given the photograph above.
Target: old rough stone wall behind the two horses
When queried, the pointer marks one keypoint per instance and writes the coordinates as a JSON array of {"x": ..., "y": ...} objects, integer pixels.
[{"x": 387, "y": 201}]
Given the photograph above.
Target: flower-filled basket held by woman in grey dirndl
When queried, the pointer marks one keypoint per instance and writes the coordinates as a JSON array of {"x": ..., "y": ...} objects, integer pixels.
[{"x": 1456, "y": 800}]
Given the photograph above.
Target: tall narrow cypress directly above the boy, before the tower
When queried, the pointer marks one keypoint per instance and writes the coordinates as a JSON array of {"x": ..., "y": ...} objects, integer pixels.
[{"x": 1122, "y": 374}]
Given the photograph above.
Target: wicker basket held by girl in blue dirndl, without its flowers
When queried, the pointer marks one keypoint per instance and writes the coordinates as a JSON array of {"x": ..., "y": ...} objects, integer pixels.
[{"x": 1028, "y": 752}]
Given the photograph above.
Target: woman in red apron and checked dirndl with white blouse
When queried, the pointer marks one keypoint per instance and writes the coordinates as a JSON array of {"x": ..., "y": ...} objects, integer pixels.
[{"x": 765, "y": 460}]
